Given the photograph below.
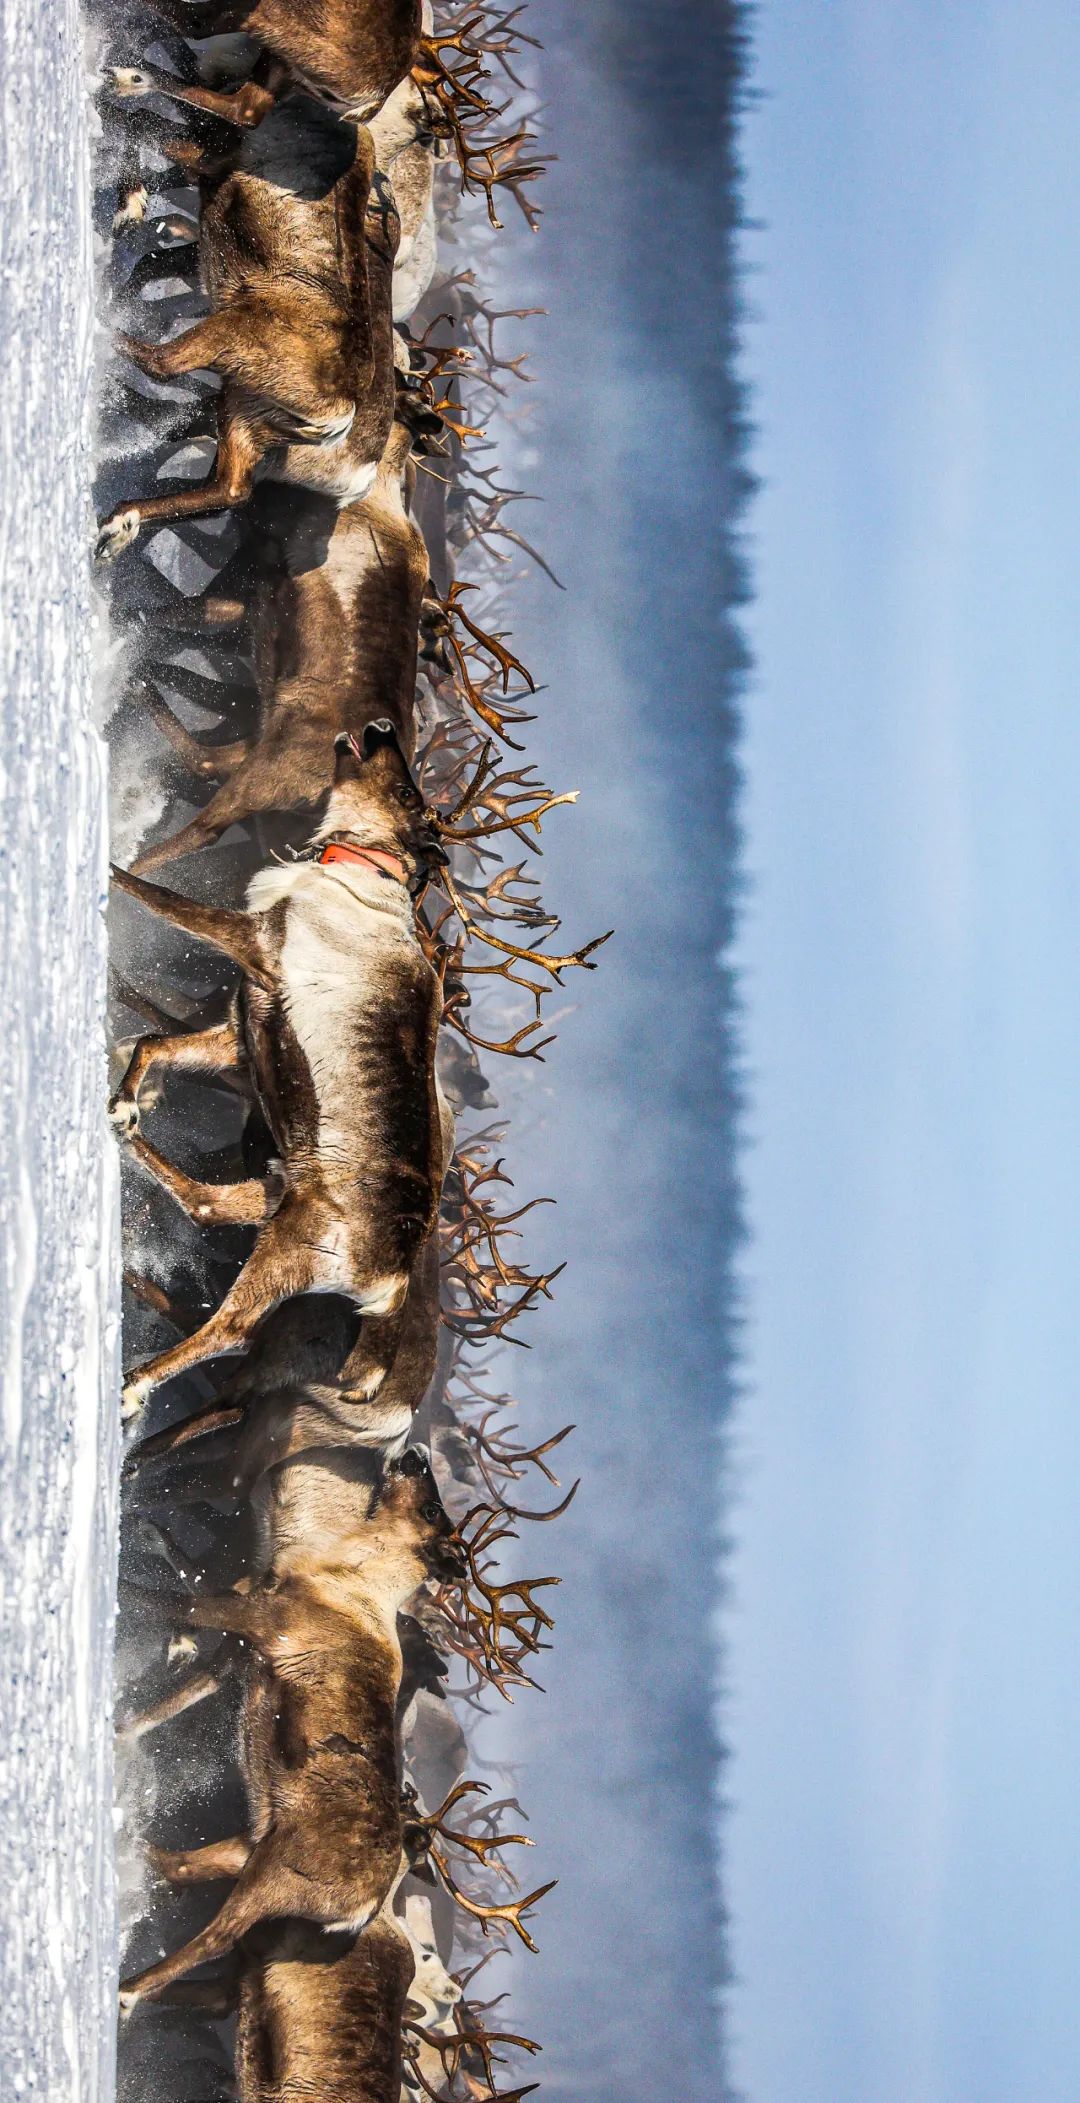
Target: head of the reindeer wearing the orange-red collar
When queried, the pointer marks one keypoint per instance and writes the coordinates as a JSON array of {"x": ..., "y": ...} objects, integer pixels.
[{"x": 377, "y": 804}]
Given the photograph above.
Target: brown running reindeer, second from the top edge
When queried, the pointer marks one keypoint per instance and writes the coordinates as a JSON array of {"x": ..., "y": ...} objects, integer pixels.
[{"x": 297, "y": 251}]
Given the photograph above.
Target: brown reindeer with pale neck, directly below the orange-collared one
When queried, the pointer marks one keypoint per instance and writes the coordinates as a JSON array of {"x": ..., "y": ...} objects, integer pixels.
[{"x": 320, "y": 1723}]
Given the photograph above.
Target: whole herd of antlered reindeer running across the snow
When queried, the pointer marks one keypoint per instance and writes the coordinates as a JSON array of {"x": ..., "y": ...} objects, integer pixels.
[{"x": 316, "y": 727}]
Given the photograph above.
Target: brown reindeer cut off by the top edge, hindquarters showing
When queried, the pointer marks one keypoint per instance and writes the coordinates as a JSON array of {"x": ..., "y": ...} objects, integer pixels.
[{"x": 348, "y": 54}]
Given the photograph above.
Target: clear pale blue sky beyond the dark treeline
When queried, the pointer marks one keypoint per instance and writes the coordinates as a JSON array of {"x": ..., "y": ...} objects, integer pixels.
[{"x": 905, "y": 1856}]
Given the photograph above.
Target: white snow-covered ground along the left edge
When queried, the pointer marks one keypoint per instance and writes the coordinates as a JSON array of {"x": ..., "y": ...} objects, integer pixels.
[{"x": 58, "y": 1175}]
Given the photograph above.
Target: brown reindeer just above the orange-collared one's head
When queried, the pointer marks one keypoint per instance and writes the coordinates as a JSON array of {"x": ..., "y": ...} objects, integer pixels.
[{"x": 335, "y": 647}]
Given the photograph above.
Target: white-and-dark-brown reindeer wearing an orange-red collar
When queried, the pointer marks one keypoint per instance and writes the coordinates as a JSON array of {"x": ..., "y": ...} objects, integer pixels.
[{"x": 335, "y": 1025}]
